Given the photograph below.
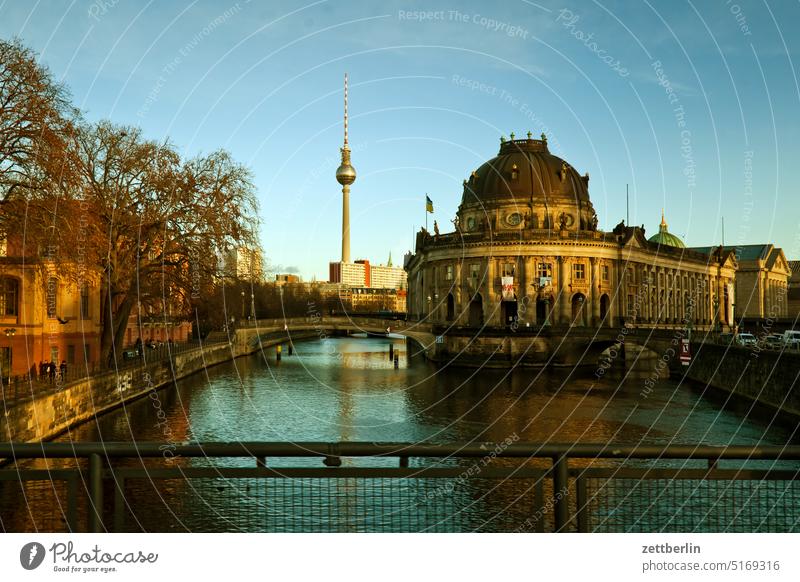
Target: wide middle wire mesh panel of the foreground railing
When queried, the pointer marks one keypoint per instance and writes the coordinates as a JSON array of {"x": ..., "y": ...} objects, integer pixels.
[{"x": 328, "y": 505}]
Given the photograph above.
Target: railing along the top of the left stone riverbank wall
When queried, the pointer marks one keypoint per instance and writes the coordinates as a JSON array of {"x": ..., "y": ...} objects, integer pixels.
[{"x": 20, "y": 388}]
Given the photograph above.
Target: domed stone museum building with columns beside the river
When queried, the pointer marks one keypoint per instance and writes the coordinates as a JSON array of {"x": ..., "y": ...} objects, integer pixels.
[{"x": 526, "y": 252}]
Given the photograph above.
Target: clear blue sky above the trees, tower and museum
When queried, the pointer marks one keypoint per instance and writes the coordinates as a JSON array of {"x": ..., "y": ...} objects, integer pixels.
[{"x": 694, "y": 105}]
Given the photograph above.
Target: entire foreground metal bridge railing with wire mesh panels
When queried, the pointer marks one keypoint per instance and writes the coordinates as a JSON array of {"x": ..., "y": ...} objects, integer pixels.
[{"x": 348, "y": 486}]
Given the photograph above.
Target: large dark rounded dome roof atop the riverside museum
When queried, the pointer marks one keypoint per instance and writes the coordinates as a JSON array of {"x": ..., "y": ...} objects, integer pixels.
[{"x": 524, "y": 171}]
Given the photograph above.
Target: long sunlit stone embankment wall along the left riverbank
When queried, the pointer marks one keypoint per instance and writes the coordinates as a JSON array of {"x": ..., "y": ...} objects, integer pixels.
[{"x": 47, "y": 415}]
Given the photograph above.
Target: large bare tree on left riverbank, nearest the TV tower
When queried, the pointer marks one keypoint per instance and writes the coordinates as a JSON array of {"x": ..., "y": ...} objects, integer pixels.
[{"x": 163, "y": 222}]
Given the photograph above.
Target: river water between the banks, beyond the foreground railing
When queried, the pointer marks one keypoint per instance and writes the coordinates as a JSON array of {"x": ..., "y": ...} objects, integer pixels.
[{"x": 349, "y": 389}]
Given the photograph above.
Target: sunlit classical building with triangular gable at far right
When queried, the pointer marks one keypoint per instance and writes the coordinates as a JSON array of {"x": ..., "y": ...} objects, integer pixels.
[{"x": 762, "y": 281}]
